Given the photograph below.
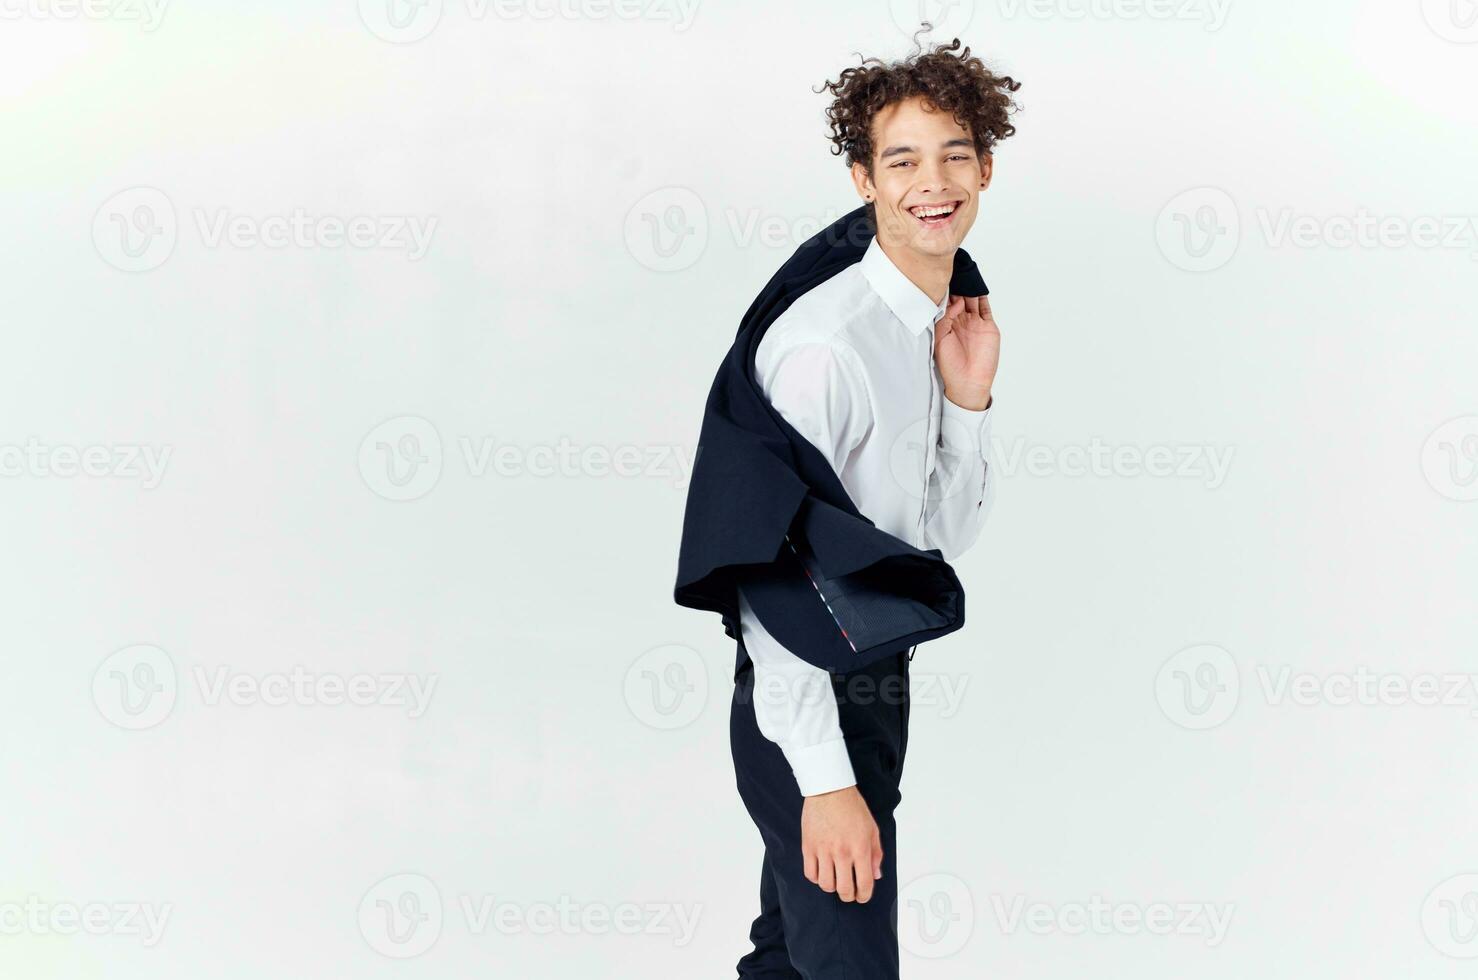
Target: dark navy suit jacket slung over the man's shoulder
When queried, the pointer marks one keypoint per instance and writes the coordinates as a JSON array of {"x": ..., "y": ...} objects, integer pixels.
[{"x": 766, "y": 511}]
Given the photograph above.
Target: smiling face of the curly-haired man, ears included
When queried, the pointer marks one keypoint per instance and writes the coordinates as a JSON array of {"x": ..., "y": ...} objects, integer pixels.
[{"x": 926, "y": 180}]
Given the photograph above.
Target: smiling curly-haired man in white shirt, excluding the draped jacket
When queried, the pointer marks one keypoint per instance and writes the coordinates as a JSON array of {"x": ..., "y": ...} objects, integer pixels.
[{"x": 890, "y": 379}]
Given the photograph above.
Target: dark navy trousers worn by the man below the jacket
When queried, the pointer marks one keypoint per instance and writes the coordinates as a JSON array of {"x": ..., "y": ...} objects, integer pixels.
[{"x": 802, "y": 932}]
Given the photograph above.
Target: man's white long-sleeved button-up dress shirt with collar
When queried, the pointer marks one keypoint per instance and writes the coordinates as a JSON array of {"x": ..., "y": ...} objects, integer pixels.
[{"x": 851, "y": 366}]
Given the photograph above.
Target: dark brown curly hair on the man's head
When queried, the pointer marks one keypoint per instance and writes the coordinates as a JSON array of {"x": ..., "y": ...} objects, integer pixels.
[{"x": 960, "y": 84}]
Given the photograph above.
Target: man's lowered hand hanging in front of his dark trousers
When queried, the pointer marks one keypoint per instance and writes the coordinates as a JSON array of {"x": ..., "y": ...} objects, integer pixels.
[{"x": 842, "y": 845}]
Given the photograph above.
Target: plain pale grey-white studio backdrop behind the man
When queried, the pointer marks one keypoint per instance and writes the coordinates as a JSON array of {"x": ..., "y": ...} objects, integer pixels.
[{"x": 605, "y": 194}]
